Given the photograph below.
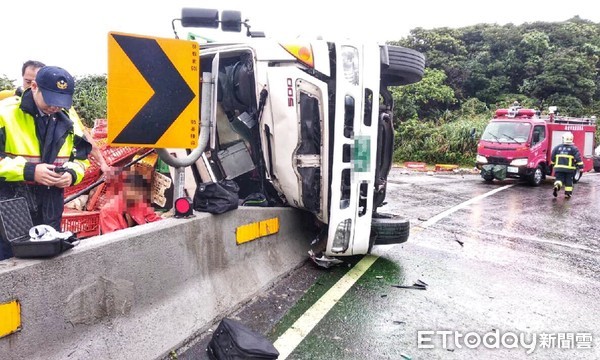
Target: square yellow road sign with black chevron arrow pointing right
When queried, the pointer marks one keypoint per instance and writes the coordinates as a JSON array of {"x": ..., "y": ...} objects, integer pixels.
[{"x": 153, "y": 91}]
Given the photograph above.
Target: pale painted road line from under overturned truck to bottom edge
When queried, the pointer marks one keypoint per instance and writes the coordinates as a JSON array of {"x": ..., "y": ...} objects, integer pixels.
[{"x": 289, "y": 340}]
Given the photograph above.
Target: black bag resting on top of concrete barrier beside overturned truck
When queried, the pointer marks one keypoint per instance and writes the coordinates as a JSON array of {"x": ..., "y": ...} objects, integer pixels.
[{"x": 216, "y": 197}]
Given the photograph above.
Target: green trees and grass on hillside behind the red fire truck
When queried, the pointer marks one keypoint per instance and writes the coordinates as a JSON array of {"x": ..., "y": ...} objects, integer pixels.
[{"x": 473, "y": 71}]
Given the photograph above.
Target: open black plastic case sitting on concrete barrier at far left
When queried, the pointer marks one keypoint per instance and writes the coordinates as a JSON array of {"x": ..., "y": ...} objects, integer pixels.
[{"x": 15, "y": 223}]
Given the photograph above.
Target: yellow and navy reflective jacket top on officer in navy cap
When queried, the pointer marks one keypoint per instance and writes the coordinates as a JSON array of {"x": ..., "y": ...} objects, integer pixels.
[{"x": 20, "y": 149}]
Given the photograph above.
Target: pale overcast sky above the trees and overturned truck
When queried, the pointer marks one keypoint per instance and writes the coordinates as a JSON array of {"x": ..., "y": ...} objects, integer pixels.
[{"x": 73, "y": 33}]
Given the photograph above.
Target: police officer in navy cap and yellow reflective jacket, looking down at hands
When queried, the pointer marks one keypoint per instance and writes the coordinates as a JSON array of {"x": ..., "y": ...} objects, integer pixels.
[{"x": 42, "y": 151}]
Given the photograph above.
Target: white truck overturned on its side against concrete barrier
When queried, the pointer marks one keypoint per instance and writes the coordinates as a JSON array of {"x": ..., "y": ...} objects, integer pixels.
[{"x": 306, "y": 124}]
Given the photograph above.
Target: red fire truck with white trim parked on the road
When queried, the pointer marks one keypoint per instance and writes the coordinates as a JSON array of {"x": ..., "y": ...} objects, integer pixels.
[{"x": 518, "y": 143}]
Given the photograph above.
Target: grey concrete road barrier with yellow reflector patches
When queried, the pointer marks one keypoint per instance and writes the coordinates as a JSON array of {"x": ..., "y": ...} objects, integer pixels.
[{"x": 140, "y": 292}]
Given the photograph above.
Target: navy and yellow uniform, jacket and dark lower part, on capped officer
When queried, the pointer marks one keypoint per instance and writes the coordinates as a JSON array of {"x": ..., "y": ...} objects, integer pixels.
[{"x": 28, "y": 138}]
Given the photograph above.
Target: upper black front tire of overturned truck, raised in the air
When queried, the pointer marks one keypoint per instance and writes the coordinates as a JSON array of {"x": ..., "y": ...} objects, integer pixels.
[{"x": 401, "y": 66}]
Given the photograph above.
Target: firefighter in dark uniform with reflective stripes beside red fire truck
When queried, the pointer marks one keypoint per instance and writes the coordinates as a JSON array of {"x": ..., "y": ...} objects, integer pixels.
[{"x": 565, "y": 160}]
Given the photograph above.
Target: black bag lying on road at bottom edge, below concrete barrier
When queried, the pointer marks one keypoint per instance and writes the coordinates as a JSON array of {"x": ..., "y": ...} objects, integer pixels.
[{"x": 234, "y": 341}]
